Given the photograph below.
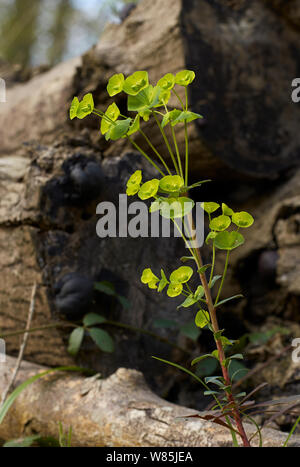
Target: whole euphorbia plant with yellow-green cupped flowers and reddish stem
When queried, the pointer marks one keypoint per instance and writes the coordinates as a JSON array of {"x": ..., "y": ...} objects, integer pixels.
[{"x": 169, "y": 195}]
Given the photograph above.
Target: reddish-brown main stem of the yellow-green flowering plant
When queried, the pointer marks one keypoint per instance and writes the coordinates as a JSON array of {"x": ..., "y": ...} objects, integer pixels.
[{"x": 221, "y": 354}]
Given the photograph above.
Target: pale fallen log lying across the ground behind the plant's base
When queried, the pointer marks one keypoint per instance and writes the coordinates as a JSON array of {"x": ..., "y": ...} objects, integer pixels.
[{"x": 117, "y": 411}]
